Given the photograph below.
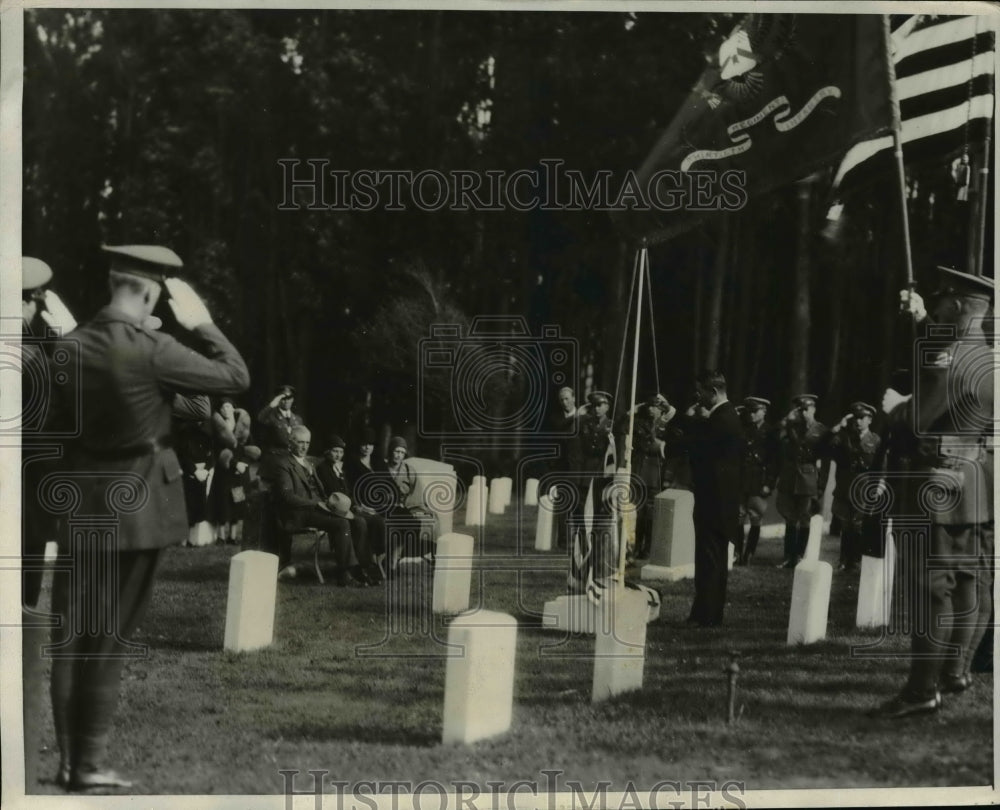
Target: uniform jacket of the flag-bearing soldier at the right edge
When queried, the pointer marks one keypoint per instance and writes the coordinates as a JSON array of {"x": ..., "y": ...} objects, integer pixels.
[{"x": 950, "y": 420}]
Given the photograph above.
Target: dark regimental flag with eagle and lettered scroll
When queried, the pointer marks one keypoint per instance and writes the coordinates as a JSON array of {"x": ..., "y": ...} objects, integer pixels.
[{"x": 785, "y": 95}]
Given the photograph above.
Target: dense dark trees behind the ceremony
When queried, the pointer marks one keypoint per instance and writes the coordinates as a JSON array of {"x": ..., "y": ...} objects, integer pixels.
[{"x": 167, "y": 127}]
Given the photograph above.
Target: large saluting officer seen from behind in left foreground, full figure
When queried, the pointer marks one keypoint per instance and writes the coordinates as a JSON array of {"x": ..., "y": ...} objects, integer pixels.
[{"x": 126, "y": 465}]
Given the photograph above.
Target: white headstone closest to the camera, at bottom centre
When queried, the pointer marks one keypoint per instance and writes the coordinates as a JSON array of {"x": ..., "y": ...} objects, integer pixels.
[{"x": 479, "y": 676}]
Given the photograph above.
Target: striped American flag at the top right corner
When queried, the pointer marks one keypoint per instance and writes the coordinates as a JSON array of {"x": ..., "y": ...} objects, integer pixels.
[{"x": 945, "y": 70}]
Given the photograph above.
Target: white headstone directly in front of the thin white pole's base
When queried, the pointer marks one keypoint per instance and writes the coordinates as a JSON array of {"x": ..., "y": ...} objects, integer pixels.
[{"x": 620, "y": 647}]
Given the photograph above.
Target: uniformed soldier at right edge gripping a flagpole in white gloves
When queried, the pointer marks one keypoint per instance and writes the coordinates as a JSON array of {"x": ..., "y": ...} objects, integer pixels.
[{"x": 949, "y": 421}]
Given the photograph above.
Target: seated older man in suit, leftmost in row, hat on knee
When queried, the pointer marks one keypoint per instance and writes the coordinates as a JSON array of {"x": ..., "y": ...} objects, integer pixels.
[{"x": 302, "y": 503}]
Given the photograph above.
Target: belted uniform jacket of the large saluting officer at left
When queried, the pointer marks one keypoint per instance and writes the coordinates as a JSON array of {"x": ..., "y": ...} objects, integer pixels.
[{"x": 129, "y": 376}]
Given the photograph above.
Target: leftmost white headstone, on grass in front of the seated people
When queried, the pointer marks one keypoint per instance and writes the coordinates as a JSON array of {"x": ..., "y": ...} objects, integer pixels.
[{"x": 253, "y": 585}]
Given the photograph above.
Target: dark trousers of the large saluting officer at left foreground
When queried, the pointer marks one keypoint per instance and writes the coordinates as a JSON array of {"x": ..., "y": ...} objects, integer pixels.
[{"x": 100, "y": 596}]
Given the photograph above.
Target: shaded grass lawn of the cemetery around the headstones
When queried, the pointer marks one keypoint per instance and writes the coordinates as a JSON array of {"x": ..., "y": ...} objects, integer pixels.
[{"x": 336, "y": 693}]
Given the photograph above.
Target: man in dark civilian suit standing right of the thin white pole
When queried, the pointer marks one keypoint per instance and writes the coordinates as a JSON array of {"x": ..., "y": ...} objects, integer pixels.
[{"x": 715, "y": 446}]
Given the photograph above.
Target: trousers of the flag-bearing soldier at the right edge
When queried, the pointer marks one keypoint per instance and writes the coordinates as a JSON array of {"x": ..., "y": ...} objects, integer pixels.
[{"x": 948, "y": 582}]
